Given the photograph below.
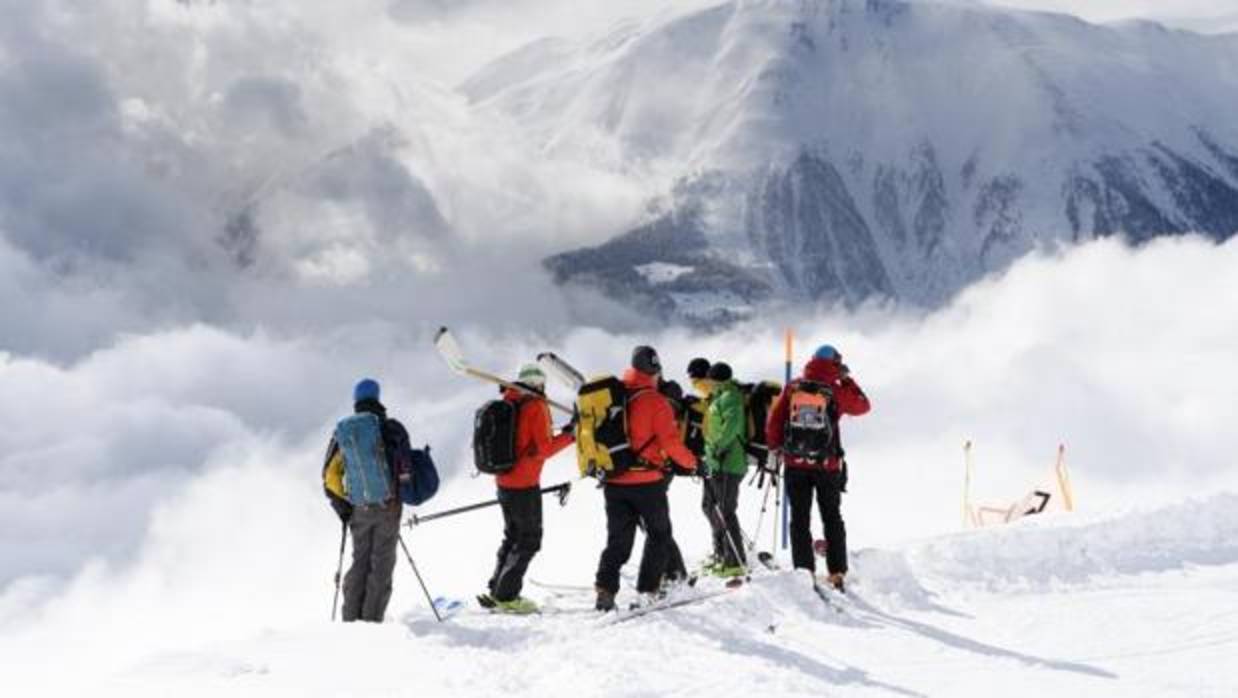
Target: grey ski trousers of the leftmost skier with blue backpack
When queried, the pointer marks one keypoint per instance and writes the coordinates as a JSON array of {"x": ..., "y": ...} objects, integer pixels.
[{"x": 368, "y": 585}]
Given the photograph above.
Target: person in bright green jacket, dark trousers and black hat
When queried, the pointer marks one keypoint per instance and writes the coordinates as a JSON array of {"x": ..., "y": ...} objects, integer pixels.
[{"x": 726, "y": 467}]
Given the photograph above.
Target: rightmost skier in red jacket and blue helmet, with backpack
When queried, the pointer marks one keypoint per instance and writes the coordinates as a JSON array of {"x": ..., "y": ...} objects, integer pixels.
[{"x": 804, "y": 428}]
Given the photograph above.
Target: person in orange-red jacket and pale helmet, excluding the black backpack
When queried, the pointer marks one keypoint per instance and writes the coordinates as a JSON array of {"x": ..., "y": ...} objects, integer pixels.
[{"x": 519, "y": 491}]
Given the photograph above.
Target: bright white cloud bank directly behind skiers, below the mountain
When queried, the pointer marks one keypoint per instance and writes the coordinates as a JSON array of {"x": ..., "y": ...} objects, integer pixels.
[{"x": 1122, "y": 355}]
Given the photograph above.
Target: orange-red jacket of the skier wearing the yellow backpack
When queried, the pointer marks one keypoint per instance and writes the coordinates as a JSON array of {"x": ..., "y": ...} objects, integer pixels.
[{"x": 653, "y": 430}]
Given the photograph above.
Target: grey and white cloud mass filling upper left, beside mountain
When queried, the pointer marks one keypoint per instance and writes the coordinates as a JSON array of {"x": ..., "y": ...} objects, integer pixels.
[{"x": 266, "y": 164}]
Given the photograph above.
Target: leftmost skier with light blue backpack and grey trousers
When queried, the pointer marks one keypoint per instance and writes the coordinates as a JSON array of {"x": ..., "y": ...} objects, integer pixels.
[{"x": 362, "y": 487}]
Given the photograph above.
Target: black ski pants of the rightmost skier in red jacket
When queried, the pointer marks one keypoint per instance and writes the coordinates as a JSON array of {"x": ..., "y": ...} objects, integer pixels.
[{"x": 802, "y": 485}]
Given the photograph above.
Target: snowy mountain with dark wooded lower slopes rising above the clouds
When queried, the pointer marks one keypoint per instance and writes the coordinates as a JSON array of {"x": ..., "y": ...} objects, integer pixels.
[{"x": 831, "y": 150}]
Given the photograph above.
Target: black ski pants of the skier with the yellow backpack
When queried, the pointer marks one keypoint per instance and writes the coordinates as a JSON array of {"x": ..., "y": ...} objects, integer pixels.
[{"x": 627, "y": 506}]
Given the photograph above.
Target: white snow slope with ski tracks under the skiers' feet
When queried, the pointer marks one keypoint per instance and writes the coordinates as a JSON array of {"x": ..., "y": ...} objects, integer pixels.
[{"x": 1143, "y": 605}]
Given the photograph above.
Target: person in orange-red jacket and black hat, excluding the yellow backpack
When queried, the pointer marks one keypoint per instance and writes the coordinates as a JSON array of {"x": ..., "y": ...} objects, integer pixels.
[{"x": 639, "y": 496}]
